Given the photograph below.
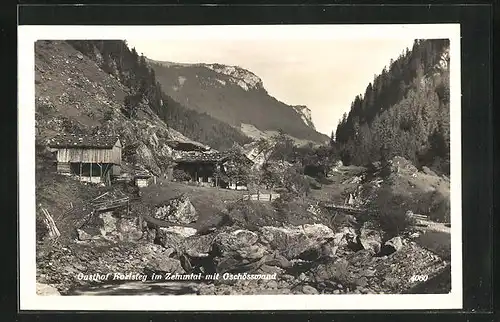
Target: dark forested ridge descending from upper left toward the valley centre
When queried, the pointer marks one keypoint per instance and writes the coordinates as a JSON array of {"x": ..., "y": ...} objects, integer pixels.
[{"x": 133, "y": 71}]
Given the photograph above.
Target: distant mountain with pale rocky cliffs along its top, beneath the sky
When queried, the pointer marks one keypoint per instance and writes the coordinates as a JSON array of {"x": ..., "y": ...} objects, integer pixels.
[{"x": 235, "y": 96}]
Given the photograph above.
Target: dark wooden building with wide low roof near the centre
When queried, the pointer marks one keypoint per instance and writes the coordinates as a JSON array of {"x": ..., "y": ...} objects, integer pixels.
[{"x": 211, "y": 169}]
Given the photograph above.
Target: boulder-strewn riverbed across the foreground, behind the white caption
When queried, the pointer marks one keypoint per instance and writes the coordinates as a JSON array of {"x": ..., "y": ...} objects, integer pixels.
[{"x": 304, "y": 259}]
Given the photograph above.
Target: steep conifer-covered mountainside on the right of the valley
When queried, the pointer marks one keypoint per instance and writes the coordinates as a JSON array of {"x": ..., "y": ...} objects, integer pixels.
[{"x": 405, "y": 111}]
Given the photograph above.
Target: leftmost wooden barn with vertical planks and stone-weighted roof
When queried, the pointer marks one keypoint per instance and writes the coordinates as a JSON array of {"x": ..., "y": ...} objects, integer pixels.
[{"x": 92, "y": 158}]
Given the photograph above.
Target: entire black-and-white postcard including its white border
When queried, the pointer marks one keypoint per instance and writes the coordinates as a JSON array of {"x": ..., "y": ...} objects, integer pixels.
[{"x": 284, "y": 167}]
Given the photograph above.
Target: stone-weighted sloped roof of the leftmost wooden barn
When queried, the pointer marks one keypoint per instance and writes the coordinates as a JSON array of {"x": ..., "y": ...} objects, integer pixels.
[{"x": 83, "y": 141}]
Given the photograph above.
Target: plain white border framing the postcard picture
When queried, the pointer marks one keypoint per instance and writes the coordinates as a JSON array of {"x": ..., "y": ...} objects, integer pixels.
[{"x": 27, "y": 35}]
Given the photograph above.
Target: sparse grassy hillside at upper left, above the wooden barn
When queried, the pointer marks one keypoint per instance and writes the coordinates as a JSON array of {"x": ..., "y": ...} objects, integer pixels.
[{"x": 78, "y": 89}]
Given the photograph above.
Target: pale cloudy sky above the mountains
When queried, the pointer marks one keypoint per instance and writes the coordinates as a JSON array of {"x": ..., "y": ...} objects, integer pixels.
[{"x": 323, "y": 74}]
